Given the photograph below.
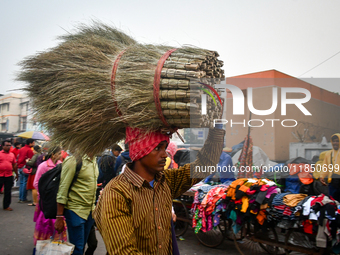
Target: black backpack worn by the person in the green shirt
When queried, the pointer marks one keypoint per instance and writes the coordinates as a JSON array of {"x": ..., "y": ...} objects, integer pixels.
[{"x": 48, "y": 186}]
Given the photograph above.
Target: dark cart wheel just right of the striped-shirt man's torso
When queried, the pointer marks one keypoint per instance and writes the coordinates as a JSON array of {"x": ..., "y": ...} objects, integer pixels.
[{"x": 182, "y": 214}]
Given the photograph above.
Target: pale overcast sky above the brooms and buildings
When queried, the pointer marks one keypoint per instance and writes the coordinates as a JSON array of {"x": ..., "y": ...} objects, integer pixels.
[{"x": 291, "y": 36}]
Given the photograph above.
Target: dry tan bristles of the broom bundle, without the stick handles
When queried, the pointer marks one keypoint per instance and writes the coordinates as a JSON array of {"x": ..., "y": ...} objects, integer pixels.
[{"x": 70, "y": 87}]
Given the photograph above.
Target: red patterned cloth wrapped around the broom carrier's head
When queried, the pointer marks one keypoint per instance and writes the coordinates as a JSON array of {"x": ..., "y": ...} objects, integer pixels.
[{"x": 141, "y": 143}]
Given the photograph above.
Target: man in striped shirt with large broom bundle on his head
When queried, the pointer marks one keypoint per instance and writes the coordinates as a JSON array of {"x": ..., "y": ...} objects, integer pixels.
[{"x": 145, "y": 89}]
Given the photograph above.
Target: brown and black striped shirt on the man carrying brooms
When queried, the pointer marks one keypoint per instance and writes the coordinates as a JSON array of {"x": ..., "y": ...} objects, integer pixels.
[{"x": 134, "y": 218}]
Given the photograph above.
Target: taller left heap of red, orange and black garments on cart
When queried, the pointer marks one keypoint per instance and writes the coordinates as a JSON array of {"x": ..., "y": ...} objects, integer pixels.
[{"x": 236, "y": 200}]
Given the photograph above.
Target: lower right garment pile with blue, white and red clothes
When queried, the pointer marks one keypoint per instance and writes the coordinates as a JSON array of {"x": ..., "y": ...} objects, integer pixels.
[{"x": 317, "y": 215}]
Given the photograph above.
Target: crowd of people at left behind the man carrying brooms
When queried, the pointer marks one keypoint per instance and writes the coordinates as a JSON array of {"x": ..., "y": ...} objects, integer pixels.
[{"x": 76, "y": 201}]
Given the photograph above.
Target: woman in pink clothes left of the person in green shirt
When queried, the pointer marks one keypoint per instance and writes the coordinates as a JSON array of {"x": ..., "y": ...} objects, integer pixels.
[{"x": 44, "y": 228}]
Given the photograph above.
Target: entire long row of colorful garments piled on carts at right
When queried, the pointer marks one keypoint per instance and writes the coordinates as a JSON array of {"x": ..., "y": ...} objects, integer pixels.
[{"x": 260, "y": 200}]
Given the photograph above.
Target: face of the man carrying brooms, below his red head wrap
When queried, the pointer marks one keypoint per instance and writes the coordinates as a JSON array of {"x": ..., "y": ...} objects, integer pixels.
[{"x": 155, "y": 160}]
